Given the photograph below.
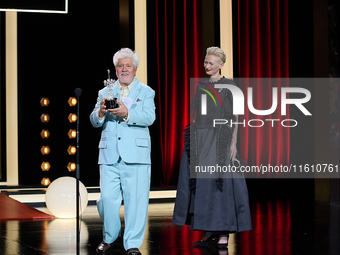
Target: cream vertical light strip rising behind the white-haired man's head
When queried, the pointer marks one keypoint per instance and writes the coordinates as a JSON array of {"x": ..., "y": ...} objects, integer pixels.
[{"x": 140, "y": 39}]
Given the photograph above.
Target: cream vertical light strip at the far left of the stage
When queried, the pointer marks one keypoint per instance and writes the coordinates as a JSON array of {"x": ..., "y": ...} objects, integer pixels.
[{"x": 11, "y": 98}]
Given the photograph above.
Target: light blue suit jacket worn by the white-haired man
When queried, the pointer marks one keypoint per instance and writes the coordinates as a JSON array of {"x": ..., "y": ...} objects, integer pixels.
[{"x": 129, "y": 140}]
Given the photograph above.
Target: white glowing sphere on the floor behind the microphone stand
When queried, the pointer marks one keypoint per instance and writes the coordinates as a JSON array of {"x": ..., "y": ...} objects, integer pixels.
[{"x": 60, "y": 197}]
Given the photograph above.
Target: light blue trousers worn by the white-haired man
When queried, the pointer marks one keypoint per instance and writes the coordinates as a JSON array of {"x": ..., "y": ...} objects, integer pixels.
[{"x": 131, "y": 182}]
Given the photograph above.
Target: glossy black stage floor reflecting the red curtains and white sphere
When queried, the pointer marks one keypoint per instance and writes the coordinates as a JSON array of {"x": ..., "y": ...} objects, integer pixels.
[{"x": 280, "y": 226}]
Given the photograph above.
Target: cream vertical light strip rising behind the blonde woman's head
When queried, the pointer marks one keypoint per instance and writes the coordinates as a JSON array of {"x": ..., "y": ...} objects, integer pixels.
[{"x": 226, "y": 36}]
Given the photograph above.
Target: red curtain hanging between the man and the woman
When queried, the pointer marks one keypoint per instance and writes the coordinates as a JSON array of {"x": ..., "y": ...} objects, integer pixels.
[{"x": 179, "y": 58}]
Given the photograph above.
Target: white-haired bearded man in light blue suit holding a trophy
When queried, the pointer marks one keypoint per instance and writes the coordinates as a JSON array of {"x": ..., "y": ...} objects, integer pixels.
[{"x": 124, "y": 154}]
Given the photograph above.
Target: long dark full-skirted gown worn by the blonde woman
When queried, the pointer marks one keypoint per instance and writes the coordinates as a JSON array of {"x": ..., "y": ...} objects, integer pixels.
[{"x": 211, "y": 204}]
